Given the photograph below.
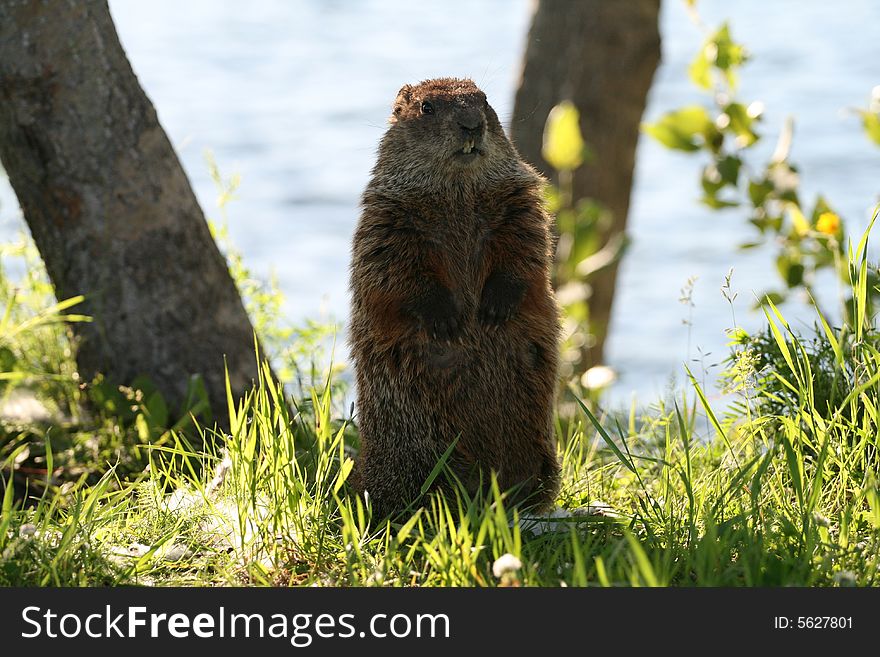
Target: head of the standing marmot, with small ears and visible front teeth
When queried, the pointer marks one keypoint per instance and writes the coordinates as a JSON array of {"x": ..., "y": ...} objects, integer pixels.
[{"x": 444, "y": 127}]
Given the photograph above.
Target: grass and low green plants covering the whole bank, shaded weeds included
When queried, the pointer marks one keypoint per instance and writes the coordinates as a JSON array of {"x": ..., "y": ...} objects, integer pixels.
[{"x": 777, "y": 488}]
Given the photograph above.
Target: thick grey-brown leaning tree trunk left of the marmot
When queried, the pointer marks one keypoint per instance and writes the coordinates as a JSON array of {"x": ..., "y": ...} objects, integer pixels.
[{"x": 110, "y": 208}]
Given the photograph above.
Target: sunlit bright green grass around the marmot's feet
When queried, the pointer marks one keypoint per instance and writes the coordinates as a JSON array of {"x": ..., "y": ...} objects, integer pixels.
[{"x": 771, "y": 501}]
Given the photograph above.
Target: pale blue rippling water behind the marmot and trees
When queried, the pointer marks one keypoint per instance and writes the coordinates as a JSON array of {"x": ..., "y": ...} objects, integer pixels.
[{"x": 294, "y": 97}]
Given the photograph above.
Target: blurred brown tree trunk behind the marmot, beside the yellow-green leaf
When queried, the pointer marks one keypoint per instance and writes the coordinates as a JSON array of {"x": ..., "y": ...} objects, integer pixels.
[{"x": 601, "y": 55}]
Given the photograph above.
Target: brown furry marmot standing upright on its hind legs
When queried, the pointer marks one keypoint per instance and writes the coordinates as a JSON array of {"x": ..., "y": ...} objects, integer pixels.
[{"x": 454, "y": 327}]
